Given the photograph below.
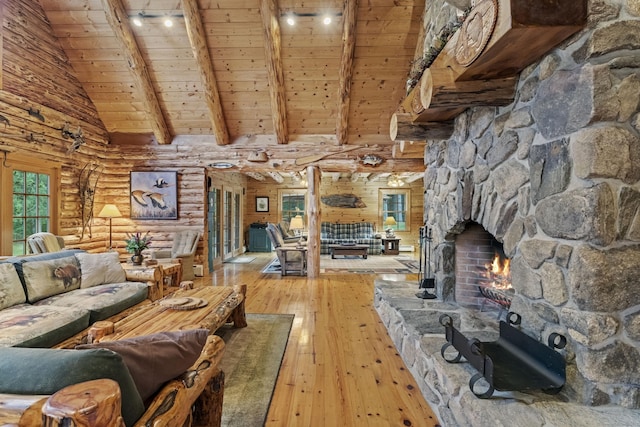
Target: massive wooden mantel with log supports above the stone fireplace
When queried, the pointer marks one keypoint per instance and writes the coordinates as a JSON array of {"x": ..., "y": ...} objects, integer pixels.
[{"x": 522, "y": 33}]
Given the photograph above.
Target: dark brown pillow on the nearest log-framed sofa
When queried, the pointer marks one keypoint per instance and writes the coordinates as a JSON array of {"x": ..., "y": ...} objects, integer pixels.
[{"x": 157, "y": 358}]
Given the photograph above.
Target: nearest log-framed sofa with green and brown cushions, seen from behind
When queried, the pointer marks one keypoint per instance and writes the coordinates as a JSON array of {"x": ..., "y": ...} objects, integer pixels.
[{"x": 165, "y": 379}]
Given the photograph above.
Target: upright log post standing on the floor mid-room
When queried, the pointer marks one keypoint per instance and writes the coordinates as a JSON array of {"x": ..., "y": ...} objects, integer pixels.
[{"x": 313, "y": 215}]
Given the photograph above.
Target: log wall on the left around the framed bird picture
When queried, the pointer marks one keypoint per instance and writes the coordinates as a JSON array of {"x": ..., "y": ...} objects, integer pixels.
[{"x": 36, "y": 75}]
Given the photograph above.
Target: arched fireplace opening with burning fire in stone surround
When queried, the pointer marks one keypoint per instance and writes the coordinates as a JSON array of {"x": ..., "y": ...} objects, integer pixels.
[{"x": 482, "y": 271}]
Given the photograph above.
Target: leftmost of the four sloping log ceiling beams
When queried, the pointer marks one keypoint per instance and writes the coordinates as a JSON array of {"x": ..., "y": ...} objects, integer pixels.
[{"x": 119, "y": 22}]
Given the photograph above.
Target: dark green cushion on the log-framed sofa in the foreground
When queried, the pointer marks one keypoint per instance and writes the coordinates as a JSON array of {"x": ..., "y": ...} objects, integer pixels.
[{"x": 45, "y": 371}]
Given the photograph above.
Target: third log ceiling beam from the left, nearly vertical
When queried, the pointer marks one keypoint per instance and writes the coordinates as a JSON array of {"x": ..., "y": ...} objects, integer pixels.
[{"x": 273, "y": 43}]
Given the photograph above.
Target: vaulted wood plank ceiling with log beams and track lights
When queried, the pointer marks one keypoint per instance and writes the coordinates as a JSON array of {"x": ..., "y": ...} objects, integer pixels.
[{"x": 235, "y": 73}]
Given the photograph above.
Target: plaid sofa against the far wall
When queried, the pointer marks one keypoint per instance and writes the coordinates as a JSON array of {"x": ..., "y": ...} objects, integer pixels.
[{"x": 360, "y": 233}]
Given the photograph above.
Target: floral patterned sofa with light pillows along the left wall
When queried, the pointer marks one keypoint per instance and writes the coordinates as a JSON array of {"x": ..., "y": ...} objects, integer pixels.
[{"x": 47, "y": 298}]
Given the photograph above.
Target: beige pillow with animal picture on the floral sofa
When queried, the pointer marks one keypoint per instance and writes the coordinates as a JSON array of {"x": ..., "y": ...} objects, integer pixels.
[{"x": 46, "y": 278}]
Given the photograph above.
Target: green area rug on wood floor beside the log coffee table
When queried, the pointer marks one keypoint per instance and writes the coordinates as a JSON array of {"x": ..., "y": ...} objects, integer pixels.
[{"x": 251, "y": 363}]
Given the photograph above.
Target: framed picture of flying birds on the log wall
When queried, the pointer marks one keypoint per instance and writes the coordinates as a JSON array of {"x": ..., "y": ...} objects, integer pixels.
[{"x": 154, "y": 195}]
